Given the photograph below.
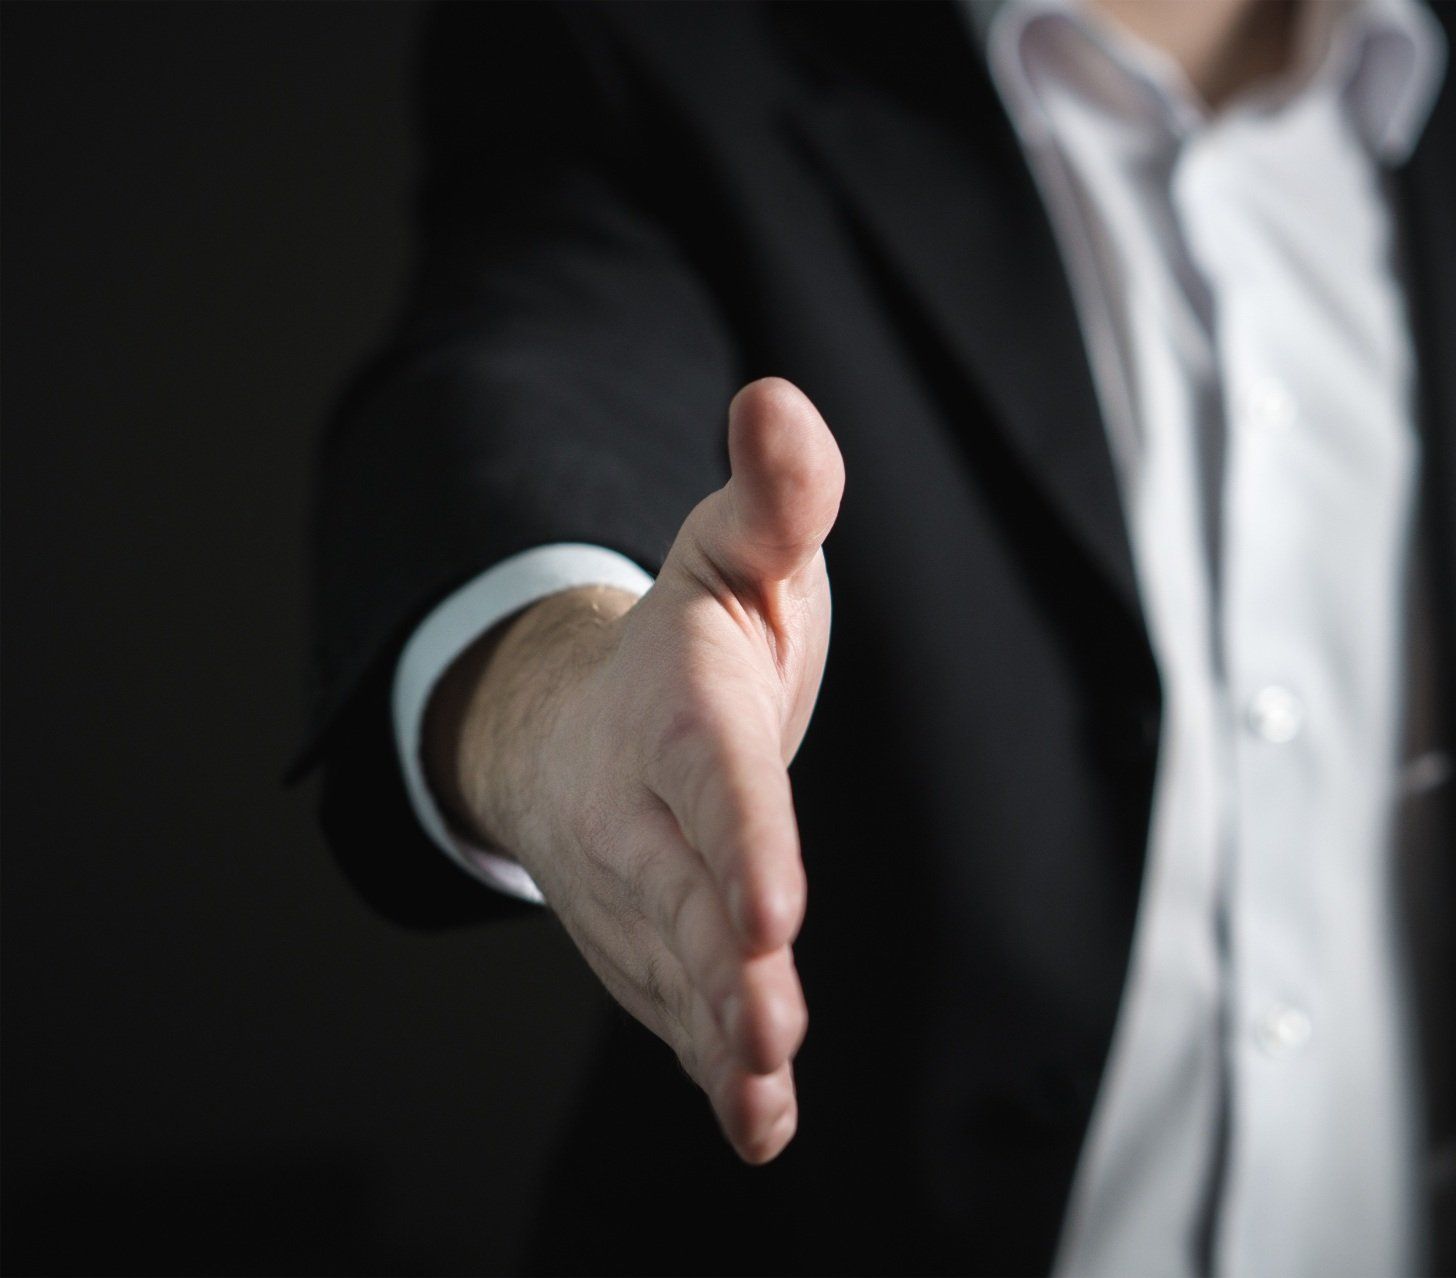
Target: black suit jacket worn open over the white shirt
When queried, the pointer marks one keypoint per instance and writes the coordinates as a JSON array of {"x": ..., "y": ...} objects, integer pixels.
[{"x": 628, "y": 213}]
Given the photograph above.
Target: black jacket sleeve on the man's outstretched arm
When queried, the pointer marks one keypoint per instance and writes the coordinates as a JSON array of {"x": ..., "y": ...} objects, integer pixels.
[{"x": 561, "y": 373}]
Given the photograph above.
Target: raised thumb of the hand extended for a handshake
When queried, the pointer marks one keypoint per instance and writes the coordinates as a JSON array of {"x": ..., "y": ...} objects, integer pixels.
[{"x": 788, "y": 480}]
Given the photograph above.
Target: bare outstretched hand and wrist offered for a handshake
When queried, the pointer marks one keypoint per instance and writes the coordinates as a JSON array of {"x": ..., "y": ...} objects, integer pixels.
[{"x": 634, "y": 758}]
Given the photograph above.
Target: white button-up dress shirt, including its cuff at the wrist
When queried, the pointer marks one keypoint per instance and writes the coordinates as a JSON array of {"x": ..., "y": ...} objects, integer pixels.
[{"x": 1238, "y": 292}]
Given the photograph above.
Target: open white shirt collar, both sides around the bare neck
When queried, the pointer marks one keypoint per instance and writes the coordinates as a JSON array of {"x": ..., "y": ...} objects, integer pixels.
[{"x": 1385, "y": 57}]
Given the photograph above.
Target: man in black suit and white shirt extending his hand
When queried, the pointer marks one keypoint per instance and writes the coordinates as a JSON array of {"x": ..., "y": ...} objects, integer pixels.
[{"x": 1129, "y": 330}]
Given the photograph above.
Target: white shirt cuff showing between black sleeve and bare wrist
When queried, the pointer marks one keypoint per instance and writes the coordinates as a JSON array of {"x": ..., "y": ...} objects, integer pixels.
[{"x": 454, "y": 627}]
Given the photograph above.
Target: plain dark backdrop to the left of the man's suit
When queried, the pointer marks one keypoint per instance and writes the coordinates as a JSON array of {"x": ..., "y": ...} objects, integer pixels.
[{"x": 216, "y": 1060}]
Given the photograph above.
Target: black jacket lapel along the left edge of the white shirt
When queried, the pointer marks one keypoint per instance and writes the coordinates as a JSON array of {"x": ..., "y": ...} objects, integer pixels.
[{"x": 921, "y": 154}]
